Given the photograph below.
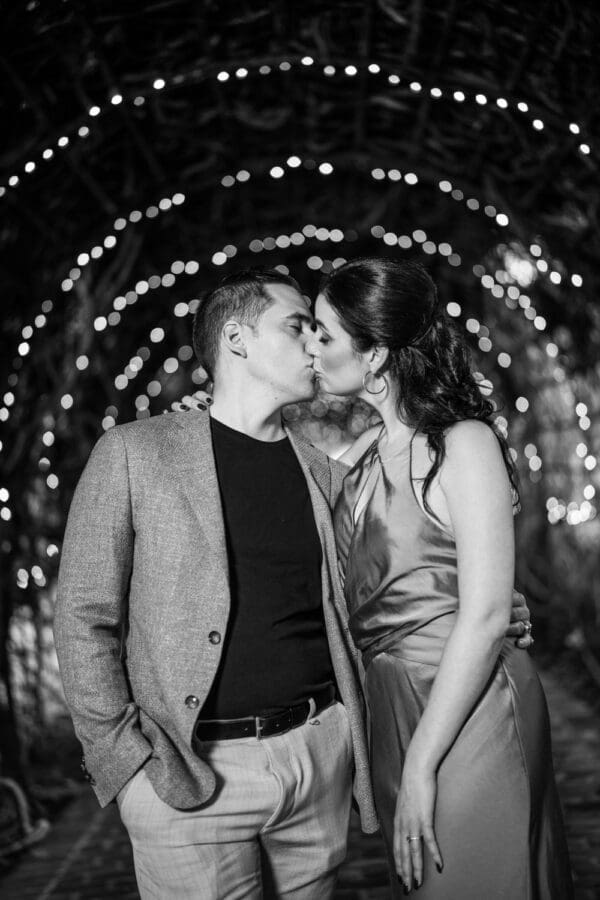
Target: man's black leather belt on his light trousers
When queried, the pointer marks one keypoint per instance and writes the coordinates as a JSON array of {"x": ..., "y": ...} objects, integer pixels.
[{"x": 263, "y": 726}]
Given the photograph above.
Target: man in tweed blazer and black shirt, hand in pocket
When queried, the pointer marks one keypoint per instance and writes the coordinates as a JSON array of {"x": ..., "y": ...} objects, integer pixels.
[{"x": 201, "y": 627}]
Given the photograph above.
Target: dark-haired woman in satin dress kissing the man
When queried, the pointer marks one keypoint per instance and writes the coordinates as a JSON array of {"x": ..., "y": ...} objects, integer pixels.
[{"x": 460, "y": 739}]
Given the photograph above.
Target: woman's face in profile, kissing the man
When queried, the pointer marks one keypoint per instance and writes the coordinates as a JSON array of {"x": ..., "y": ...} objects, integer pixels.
[{"x": 340, "y": 368}]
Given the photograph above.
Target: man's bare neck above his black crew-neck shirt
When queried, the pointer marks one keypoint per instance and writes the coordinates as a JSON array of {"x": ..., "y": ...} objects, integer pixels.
[{"x": 259, "y": 418}]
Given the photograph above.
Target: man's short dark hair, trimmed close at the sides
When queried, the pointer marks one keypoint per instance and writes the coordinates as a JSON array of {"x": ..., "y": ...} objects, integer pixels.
[{"x": 242, "y": 296}]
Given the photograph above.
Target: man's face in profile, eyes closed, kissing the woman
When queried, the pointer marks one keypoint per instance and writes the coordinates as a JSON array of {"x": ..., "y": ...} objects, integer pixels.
[{"x": 276, "y": 347}]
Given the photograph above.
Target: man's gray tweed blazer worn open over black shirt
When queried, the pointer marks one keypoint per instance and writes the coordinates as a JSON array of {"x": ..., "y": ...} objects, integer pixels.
[{"x": 143, "y": 581}]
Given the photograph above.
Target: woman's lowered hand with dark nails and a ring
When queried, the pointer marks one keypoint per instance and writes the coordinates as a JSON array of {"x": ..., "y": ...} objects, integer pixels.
[{"x": 413, "y": 819}]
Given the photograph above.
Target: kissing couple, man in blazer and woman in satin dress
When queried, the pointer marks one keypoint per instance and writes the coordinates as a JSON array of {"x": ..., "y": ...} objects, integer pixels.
[{"x": 250, "y": 632}]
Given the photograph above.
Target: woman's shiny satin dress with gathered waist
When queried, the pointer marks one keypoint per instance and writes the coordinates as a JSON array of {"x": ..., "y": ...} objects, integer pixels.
[{"x": 498, "y": 820}]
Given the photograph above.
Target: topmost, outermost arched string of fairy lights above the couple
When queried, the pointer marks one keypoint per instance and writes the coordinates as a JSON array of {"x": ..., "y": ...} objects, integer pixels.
[{"x": 327, "y": 71}]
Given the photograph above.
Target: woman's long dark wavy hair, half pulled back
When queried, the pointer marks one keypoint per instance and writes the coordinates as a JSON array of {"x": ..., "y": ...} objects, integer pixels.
[{"x": 382, "y": 302}]
